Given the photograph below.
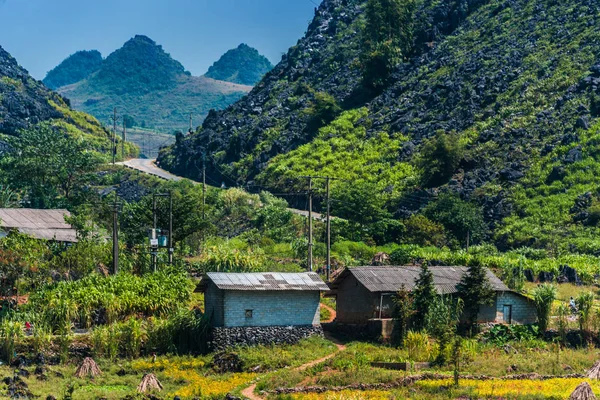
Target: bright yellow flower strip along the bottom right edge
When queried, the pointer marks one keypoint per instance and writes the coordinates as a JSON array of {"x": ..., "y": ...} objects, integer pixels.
[{"x": 551, "y": 388}]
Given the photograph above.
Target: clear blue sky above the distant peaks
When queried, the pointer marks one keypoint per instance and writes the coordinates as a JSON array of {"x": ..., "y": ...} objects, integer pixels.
[{"x": 41, "y": 33}]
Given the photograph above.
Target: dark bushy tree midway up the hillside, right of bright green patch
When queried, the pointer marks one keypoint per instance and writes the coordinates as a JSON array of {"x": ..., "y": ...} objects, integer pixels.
[{"x": 440, "y": 156}]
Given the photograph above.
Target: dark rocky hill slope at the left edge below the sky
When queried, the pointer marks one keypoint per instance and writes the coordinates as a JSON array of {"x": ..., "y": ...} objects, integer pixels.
[{"x": 23, "y": 100}]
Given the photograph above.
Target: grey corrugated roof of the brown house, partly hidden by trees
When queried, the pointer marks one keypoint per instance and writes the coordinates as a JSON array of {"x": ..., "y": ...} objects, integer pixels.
[{"x": 391, "y": 279}]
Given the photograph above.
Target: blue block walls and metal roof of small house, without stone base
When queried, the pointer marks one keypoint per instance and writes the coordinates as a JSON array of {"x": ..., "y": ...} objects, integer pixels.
[{"x": 262, "y": 299}]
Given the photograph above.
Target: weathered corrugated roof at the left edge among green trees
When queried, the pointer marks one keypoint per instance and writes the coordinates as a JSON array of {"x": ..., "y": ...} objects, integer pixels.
[{"x": 41, "y": 224}]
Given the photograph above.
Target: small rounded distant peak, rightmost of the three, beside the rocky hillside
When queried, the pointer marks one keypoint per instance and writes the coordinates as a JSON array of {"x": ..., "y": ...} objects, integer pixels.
[{"x": 243, "y": 65}]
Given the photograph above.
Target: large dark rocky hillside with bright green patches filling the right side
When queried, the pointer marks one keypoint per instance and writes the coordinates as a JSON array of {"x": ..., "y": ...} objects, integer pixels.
[{"x": 494, "y": 102}]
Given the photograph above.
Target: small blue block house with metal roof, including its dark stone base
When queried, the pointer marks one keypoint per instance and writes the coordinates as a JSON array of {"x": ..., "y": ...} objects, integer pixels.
[{"x": 252, "y": 308}]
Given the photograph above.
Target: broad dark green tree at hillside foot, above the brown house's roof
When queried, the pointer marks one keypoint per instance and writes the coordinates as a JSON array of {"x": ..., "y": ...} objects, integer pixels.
[{"x": 458, "y": 217}]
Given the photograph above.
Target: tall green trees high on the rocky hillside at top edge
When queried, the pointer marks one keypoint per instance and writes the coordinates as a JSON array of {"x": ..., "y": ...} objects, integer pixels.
[{"x": 387, "y": 38}]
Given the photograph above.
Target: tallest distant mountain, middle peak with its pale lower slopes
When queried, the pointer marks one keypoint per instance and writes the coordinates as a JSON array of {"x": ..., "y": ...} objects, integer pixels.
[{"x": 149, "y": 86}]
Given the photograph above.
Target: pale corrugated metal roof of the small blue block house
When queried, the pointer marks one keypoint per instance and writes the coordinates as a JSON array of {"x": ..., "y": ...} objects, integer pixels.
[{"x": 265, "y": 281}]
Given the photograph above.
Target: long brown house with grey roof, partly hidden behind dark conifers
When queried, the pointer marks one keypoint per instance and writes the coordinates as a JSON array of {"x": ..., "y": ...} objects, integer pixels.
[{"x": 365, "y": 294}]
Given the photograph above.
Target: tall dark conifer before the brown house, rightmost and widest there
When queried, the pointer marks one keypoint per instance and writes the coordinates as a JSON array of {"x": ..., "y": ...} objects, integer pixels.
[{"x": 475, "y": 290}]
